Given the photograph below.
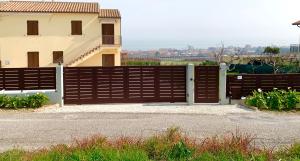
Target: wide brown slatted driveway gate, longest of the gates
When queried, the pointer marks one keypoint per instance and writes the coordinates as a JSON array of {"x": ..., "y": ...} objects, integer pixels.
[{"x": 93, "y": 85}]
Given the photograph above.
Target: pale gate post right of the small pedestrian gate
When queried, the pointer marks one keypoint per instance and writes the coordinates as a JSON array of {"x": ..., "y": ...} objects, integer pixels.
[{"x": 222, "y": 84}]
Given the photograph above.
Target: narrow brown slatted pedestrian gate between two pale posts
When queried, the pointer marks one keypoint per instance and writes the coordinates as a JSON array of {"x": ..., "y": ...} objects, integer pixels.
[{"x": 207, "y": 84}]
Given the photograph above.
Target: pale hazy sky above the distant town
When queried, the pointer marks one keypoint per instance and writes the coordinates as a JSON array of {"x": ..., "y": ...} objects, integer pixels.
[{"x": 151, "y": 24}]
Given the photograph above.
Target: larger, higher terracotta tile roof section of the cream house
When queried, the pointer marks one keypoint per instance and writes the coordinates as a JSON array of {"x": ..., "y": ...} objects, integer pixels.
[{"x": 52, "y": 7}]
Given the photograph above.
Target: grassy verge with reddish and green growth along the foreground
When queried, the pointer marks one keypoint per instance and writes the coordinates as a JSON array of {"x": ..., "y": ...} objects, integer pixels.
[{"x": 171, "y": 146}]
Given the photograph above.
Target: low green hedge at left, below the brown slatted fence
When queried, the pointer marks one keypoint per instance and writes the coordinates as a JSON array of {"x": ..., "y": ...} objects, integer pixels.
[{"x": 33, "y": 101}]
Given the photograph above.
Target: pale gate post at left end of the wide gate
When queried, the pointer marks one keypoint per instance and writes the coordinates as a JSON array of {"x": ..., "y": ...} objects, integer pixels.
[{"x": 60, "y": 85}]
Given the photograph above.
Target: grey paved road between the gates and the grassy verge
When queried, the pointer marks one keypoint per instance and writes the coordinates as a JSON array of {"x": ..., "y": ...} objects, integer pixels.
[{"x": 35, "y": 130}]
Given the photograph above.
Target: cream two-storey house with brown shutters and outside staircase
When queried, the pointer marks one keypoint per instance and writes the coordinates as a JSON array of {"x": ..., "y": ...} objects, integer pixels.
[{"x": 42, "y": 34}]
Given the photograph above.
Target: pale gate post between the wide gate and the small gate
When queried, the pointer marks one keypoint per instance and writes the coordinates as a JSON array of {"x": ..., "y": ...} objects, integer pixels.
[{"x": 190, "y": 84}]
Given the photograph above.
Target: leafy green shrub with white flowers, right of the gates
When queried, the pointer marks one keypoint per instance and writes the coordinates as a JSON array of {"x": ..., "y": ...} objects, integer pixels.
[{"x": 274, "y": 100}]
